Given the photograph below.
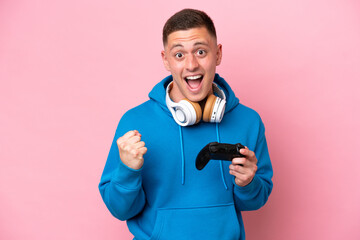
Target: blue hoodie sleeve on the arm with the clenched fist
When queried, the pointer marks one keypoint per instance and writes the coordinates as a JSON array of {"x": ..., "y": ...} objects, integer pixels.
[{"x": 120, "y": 186}]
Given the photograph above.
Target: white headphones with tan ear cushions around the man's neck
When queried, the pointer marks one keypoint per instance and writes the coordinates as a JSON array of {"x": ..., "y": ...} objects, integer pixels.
[{"x": 186, "y": 113}]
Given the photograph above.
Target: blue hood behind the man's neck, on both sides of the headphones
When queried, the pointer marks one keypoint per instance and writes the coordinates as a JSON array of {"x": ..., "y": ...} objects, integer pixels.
[{"x": 158, "y": 93}]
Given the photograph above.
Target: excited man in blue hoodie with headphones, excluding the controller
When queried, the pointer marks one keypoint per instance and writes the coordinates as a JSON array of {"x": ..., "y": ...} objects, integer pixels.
[{"x": 150, "y": 178}]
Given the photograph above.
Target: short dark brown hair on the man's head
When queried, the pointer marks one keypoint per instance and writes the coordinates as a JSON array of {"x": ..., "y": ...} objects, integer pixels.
[{"x": 186, "y": 19}]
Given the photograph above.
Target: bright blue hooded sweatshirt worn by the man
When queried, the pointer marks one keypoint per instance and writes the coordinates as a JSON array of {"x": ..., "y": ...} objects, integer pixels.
[{"x": 168, "y": 198}]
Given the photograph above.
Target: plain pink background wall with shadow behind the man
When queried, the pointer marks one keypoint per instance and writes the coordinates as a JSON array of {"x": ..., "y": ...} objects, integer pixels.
[{"x": 70, "y": 69}]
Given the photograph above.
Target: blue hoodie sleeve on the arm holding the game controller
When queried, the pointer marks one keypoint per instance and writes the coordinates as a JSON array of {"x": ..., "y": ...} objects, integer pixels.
[{"x": 254, "y": 195}]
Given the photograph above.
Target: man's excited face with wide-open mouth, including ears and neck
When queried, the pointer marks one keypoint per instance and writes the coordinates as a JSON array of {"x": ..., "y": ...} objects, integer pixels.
[{"x": 191, "y": 56}]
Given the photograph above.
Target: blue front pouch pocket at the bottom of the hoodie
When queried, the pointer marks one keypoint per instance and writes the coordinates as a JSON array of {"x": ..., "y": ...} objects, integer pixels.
[{"x": 213, "y": 222}]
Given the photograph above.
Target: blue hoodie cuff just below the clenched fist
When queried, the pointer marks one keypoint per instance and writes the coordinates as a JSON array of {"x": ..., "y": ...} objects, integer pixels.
[{"x": 127, "y": 177}]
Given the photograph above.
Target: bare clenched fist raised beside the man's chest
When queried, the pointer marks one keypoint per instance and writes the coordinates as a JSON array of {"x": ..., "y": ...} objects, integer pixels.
[{"x": 132, "y": 149}]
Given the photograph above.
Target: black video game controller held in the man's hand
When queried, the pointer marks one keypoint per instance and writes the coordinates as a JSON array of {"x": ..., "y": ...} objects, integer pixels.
[{"x": 218, "y": 151}]
